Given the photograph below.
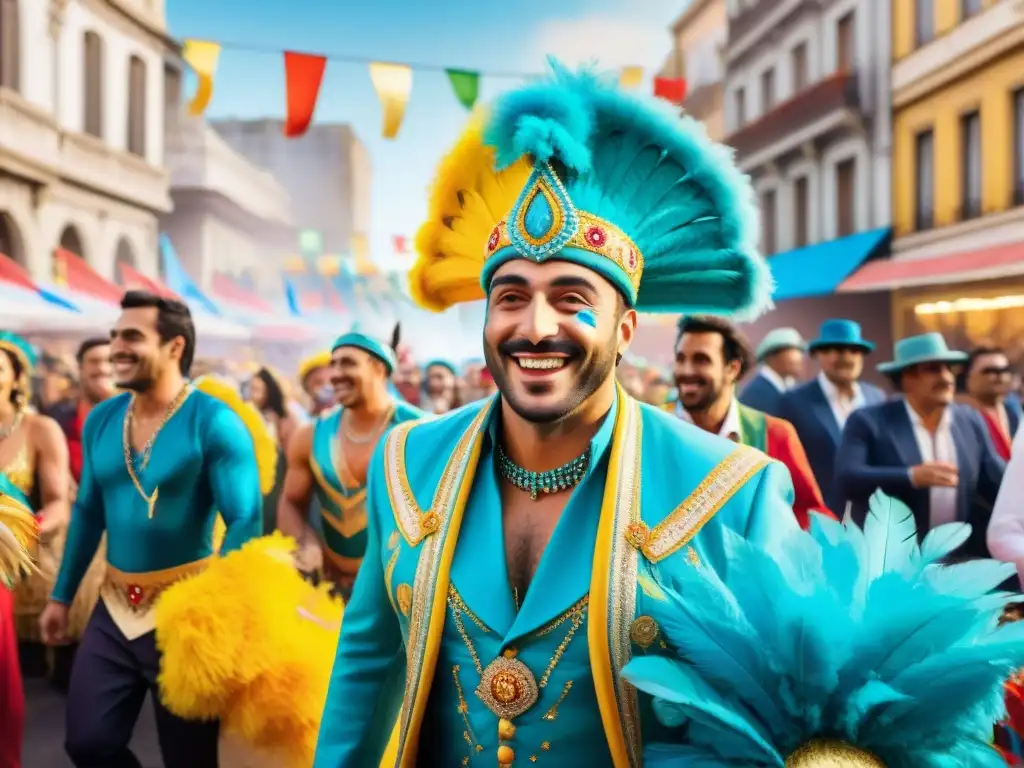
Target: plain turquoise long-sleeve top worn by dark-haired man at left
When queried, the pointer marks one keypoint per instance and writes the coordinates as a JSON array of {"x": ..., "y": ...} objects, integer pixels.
[{"x": 203, "y": 461}]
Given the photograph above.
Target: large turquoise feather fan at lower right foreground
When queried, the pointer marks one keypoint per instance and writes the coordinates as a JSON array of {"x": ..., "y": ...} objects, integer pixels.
[{"x": 847, "y": 635}]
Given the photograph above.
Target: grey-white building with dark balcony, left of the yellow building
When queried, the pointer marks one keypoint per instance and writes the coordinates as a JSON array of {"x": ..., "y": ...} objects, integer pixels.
[{"x": 807, "y": 109}]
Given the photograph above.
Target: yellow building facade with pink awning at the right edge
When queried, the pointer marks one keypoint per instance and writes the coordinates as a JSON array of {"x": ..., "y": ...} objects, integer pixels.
[{"x": 958, "y": 86}]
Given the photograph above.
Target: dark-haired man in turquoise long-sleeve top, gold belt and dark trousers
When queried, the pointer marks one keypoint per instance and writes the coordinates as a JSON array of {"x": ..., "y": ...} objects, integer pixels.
[{"x": 160, "y": 462}]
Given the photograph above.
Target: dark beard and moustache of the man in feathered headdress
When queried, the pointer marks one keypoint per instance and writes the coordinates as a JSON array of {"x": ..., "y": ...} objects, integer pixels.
[{"x": 594, "y": 371}]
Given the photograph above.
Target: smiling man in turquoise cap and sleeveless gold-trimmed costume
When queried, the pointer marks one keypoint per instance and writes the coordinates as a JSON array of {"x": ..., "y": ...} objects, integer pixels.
[{"x": 329, "y": 458}]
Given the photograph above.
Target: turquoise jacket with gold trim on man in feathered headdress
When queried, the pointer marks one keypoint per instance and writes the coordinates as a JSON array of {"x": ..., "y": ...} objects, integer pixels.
[{"x": 433, "y": 631}]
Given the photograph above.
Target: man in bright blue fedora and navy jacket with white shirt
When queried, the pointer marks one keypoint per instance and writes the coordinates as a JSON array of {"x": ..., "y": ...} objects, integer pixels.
[{"x": 821, "y": 408}]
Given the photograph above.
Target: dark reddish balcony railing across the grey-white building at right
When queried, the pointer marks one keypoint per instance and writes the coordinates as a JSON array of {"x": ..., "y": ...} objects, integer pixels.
[{"x": 838, "y": 93}]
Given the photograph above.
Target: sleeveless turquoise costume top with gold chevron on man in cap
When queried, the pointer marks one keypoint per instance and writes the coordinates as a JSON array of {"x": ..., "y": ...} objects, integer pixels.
[{"x": 344, "y": 514}]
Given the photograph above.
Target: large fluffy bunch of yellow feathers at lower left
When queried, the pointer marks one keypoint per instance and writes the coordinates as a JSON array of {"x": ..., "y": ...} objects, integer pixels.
[{"x": 250, "y": 643}]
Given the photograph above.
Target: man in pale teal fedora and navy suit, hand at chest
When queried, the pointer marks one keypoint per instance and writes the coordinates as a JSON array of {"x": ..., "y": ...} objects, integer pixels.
[{"x": 925, "y": 450}]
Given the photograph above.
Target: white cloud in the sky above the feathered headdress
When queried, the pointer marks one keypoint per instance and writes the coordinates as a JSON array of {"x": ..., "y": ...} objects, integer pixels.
[{"x": 611, "y": 40}]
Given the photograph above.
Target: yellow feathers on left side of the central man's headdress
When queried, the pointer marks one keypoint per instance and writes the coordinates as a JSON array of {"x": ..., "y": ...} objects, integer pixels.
[{"x": 467, "y": 200}]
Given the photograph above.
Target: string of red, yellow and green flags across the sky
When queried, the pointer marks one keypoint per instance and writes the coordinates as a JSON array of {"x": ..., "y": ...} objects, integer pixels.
[{"x": 392, "y": 81}]
